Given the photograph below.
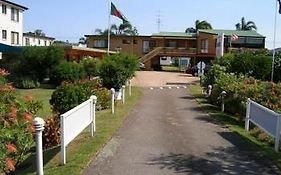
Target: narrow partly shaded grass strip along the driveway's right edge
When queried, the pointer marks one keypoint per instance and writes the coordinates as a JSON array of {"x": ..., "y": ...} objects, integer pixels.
[{"x": 263, "y": 149}]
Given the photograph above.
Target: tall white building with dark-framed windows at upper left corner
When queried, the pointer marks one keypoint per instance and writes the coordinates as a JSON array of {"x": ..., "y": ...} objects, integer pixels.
[{"x": 11, "y": 23}]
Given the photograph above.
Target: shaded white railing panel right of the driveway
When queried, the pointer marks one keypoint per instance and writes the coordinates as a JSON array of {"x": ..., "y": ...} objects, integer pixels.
[{"x": 265, "y": 119}]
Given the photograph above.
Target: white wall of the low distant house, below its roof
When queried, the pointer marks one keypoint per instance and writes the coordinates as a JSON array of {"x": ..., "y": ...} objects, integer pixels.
[{"x": 34, "y": 41}]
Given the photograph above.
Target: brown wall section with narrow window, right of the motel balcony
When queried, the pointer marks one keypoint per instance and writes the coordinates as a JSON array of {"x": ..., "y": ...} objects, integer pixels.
[{"x": 211, "y": 51}]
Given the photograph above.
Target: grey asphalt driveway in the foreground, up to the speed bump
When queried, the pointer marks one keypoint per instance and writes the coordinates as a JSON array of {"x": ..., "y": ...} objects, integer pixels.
[{"x": 168, "y": 133}]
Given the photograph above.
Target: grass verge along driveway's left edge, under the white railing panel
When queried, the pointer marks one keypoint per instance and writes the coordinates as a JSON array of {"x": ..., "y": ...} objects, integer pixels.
[{"x": 84, "y": 148}]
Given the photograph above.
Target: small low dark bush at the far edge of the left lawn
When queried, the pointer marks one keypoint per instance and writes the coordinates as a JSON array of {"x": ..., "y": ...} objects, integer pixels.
[{"x": 26, "y": 83}]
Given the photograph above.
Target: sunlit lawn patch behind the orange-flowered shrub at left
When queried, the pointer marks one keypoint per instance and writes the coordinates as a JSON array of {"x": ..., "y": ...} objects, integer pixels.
[{"x": 42, "y": 95}]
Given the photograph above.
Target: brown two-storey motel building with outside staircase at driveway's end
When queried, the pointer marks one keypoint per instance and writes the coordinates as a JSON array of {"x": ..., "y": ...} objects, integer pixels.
[{"x": 195, "y": 47}]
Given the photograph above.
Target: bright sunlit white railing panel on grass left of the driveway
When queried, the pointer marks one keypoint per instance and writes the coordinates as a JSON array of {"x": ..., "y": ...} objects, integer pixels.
[{"x": 75, "y": 121}]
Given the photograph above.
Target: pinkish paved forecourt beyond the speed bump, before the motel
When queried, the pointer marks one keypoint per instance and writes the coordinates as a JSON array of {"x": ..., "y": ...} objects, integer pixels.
[{"x": 156, "y": 79}]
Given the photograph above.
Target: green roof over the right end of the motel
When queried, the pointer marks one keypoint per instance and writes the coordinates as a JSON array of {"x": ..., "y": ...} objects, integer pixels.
[{"x": 241, "y": 33}]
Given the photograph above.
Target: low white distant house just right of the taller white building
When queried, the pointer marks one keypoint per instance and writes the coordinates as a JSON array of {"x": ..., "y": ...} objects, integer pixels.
[{"x": 32, "y": 39}]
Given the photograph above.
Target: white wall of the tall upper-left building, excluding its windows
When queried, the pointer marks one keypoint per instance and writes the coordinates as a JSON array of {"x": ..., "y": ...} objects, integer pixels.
[{"x": 9, "y": 25}]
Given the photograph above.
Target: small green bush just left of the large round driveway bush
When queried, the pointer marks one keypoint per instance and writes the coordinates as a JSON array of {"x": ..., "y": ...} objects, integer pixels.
[{"x": 91, "y": 66}]
